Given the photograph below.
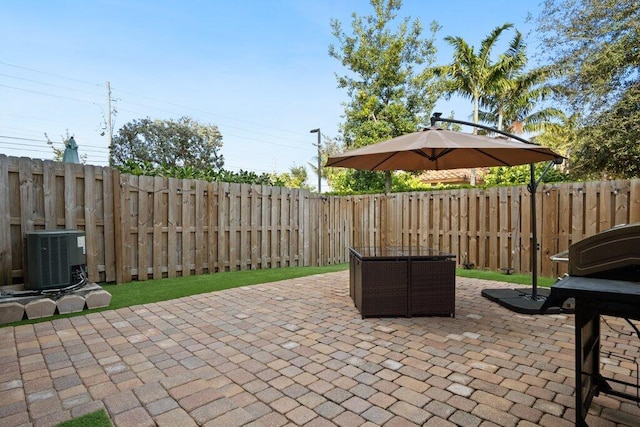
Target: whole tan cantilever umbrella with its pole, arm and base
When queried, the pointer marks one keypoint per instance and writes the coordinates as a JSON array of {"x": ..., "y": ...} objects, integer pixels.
[{"x": 434, "y": 148}]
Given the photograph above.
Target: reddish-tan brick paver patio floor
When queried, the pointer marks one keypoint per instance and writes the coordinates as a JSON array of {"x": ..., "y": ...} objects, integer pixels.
[{"x": 298, "y": 353}]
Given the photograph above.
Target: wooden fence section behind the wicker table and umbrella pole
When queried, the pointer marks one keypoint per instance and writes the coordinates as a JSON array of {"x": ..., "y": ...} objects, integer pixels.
[{"x": 489, "y": 228}]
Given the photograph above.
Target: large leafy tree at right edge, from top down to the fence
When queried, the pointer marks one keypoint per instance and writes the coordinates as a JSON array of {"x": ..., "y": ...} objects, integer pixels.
[{"x": 595, "y": 45}]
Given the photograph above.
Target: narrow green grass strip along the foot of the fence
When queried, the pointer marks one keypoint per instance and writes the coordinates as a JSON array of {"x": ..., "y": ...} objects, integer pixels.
[{"x": 136, "y": 293}]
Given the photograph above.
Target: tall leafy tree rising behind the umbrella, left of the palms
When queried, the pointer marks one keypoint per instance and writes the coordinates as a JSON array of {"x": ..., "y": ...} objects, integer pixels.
[{"x": 390, "y": 83}]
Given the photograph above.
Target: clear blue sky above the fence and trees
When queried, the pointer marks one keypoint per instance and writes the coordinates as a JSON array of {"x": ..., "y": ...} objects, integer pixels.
[{"x": 259, "y": 70}]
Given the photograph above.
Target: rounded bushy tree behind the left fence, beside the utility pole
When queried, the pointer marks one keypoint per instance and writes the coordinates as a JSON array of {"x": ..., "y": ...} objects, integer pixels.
[{"x": 182, "y": 142}]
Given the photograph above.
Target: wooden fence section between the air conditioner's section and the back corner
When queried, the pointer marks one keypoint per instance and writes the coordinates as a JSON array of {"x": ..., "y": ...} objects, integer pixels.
[{"x": 170, "y": 227}]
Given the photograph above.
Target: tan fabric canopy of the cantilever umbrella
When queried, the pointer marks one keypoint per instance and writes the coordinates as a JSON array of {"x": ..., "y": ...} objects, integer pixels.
[{"x": 434, "y": 148}]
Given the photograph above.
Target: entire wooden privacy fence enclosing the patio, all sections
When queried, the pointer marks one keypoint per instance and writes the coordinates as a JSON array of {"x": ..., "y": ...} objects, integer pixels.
[{"x": 140, "y": 228}]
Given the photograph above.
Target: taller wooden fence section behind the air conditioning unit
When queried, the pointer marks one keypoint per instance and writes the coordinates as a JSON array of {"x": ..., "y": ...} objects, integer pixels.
[{"x": 38, "y": 195}]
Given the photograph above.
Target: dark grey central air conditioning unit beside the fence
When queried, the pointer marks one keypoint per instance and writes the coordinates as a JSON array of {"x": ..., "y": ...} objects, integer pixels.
[{"x": 55, "y": 258}]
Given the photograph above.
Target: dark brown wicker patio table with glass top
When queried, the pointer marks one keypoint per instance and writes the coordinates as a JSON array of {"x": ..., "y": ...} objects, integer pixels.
[{"x": 396, "y": 281}]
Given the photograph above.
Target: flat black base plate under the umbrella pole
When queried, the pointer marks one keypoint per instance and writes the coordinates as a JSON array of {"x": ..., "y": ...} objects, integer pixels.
[{"x": 521, "y": 301}]
